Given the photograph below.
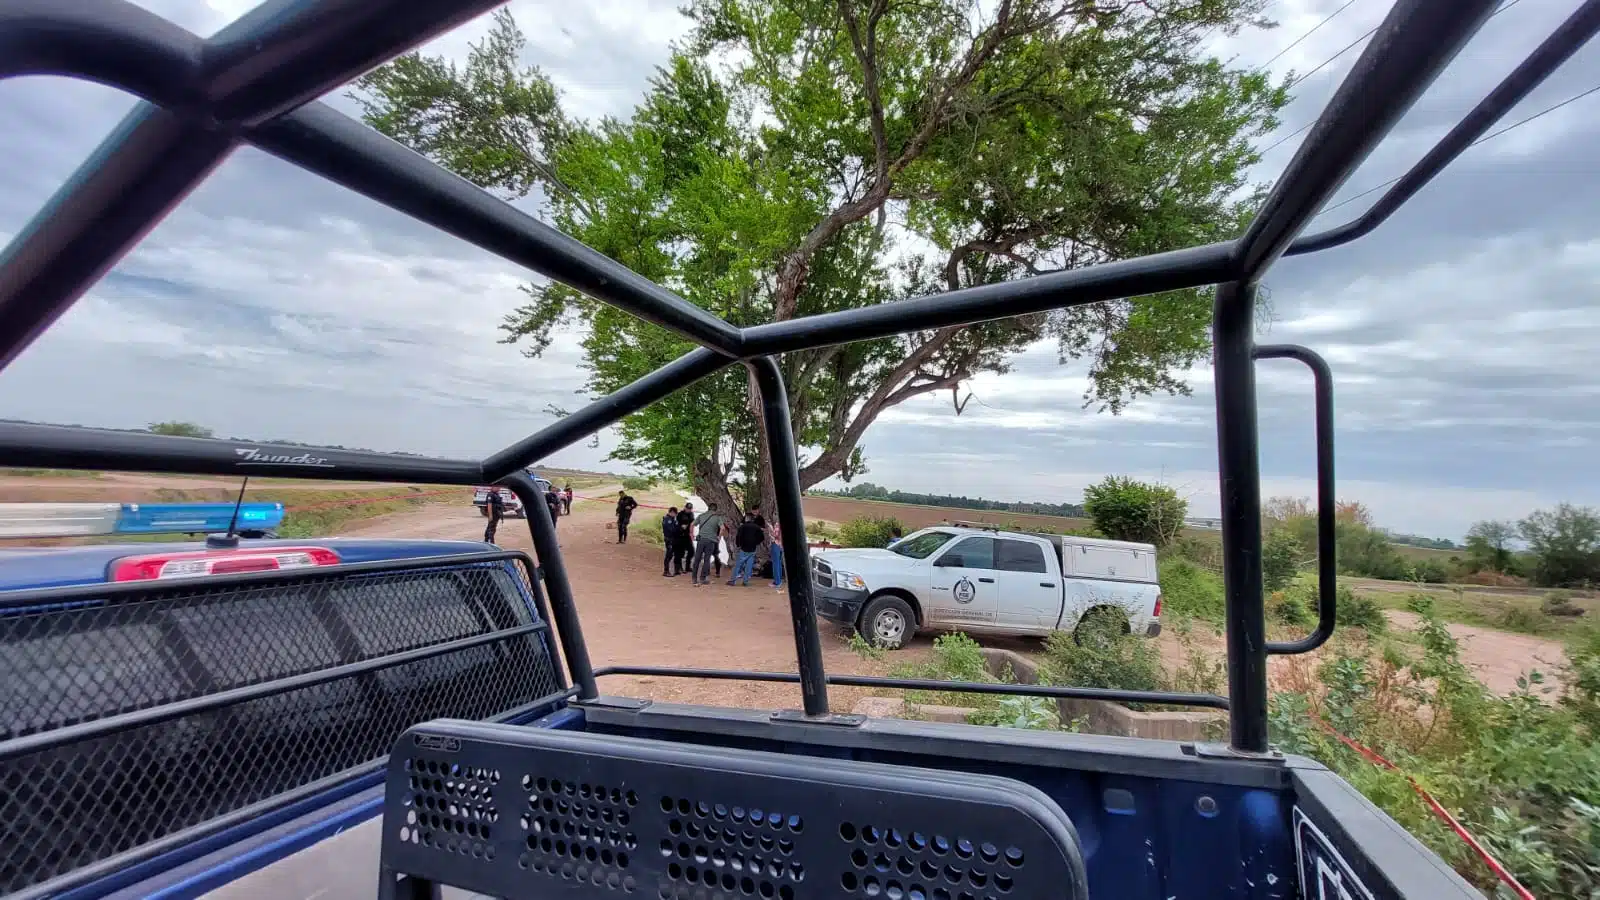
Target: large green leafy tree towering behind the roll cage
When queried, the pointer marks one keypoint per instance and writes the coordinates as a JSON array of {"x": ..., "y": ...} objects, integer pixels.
[{"x": 809, "y": 156}]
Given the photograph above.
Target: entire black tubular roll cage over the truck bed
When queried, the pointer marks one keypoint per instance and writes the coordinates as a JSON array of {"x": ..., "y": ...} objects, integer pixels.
[{"x": 257, "y": 82}]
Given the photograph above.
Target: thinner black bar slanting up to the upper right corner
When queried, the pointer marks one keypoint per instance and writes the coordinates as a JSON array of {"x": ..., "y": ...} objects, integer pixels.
[{"x": 1564, "y": 42}]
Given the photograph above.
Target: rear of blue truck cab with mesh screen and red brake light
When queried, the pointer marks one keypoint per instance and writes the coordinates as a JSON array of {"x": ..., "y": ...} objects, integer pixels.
[{"x": 271, "y": 678}]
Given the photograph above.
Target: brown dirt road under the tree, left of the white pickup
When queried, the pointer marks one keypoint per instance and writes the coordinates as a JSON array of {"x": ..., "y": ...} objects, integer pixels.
[{"x": 634, "y": 616}]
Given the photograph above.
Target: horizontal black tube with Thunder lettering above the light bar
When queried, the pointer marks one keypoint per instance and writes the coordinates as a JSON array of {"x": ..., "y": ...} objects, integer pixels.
[{"x": 60, "y": 448}]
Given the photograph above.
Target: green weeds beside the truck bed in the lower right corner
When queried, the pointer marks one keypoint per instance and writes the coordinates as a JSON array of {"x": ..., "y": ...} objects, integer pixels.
[{"x": 1521, "y": 773}]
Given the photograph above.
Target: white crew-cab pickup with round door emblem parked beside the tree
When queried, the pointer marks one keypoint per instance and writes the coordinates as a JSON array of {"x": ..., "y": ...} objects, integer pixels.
[{"x": 982, "y": 581}]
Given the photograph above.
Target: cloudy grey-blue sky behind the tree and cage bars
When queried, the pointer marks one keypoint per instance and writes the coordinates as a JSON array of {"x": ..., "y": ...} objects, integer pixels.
[{"x": 1462, "y": 334}]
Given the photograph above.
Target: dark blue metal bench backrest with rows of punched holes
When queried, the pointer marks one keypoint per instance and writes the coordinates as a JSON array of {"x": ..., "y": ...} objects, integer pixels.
[{"x": 521, "y": 813}]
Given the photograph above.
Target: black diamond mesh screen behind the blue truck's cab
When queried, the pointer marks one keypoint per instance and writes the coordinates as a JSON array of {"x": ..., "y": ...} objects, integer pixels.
[{"x": 71, "y": 806}]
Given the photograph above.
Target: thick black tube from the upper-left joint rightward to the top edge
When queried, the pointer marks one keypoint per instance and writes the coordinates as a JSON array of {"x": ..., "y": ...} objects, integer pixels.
[{"x": 286, "y": 54}]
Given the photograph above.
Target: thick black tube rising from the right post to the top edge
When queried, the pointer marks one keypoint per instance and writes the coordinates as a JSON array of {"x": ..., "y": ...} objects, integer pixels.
[{"x": 1414, "y": 44}]
